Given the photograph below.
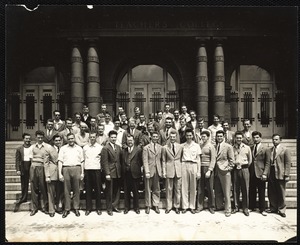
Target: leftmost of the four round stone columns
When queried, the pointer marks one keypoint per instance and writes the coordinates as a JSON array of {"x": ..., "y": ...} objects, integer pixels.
[{"x": 77, "y": 81}]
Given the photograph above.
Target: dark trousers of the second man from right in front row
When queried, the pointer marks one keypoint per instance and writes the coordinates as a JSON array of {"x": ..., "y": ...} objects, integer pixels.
[{"x": 257, "y": 185}]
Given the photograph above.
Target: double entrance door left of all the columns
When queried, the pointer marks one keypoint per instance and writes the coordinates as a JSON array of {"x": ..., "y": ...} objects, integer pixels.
[{"x": 38, "y": 105}]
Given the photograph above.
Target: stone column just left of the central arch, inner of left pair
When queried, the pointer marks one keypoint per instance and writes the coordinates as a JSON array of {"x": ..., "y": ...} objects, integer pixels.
[{"x": 93, "y": 80}]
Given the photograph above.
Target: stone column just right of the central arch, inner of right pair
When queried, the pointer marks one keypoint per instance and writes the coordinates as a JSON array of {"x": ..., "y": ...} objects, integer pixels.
[{"x": 202, "y": 83}]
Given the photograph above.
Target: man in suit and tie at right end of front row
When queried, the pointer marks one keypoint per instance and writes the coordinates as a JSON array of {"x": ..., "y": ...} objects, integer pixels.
[{"x": 280, "y": 160}]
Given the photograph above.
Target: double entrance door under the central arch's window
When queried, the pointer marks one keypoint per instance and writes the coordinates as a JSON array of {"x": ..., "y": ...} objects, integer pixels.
[{"x": 149, "y": 97}]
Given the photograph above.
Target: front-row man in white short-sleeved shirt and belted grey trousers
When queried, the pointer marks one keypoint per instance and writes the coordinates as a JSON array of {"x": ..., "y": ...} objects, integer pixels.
[{"x": 70, "y": 170}]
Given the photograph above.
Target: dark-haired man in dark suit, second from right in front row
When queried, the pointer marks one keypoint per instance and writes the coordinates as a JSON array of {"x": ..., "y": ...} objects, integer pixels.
[{"x": 259, "y": 171}]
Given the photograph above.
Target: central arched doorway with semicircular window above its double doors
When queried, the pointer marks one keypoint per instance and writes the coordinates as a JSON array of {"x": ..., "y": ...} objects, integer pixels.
[{"x": 148, "y": 87}]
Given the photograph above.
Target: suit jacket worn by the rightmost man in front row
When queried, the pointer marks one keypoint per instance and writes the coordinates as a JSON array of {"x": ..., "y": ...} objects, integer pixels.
[{"x": 282, "y": 161}]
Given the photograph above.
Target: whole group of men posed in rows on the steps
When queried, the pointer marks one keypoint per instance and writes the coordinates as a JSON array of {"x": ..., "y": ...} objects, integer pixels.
[{"x": 194, "y": 163}]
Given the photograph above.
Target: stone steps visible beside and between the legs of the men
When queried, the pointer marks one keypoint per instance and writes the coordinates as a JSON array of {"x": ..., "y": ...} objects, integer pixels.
[{"x": 13, "y": 185}]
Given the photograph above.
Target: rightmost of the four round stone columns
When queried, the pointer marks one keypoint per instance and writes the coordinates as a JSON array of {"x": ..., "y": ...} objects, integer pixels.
[{"x": 219, "y": 82}]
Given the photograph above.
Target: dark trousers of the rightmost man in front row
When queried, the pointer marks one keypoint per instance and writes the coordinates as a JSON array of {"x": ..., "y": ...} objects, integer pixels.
[{"x": 276, "y": 192}]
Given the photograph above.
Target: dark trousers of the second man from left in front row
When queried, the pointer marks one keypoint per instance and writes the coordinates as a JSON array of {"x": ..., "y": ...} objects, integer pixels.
[{"x": 38, "y": 187}]
